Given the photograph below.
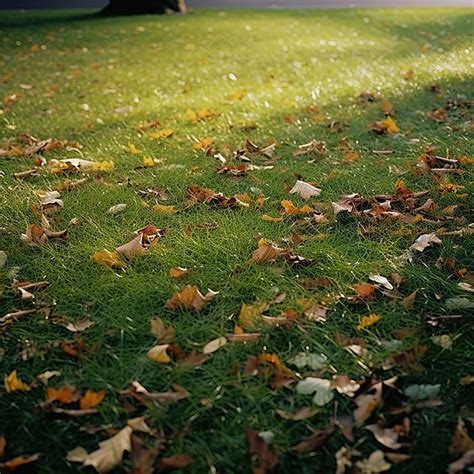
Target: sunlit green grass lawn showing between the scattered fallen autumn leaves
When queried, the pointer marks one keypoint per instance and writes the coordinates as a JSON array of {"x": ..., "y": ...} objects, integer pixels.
[{"x": 163, "y": 66}]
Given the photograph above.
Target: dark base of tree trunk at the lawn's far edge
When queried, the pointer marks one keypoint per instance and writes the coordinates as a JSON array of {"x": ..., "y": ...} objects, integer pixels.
[{"x": 140, "y": 7}]
